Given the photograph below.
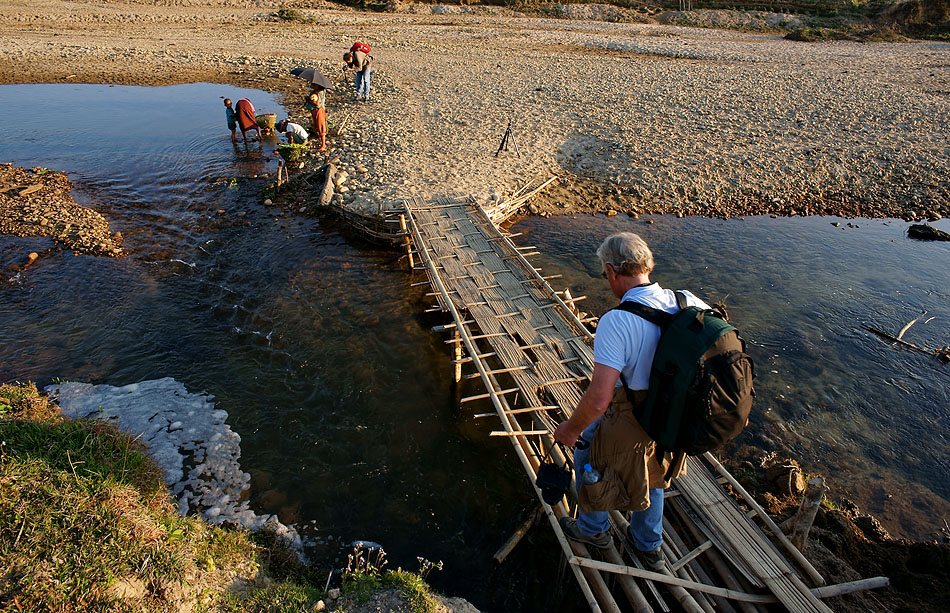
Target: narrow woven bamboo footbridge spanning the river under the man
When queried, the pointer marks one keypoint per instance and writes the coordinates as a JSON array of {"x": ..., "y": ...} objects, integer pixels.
[{"x": 525, "y": 342}]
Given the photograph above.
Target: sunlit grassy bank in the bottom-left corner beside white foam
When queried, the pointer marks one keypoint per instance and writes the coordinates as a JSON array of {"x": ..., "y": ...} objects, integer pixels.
[{"x": 87, "y": 524}]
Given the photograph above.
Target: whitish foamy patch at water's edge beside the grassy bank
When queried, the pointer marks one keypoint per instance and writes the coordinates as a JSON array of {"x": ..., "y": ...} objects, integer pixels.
[{"x": 187, "y": 437}]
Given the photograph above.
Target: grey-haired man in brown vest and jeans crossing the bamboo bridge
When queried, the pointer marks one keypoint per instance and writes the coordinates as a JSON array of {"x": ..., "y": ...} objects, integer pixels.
[{"x": 603, "y": 430}]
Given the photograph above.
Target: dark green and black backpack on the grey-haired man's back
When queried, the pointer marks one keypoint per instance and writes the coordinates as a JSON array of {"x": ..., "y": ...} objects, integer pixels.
[{"x": 700, "y": 392}]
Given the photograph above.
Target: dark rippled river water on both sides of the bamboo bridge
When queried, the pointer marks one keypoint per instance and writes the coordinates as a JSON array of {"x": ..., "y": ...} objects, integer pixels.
[{"x": 315, "y": 345}]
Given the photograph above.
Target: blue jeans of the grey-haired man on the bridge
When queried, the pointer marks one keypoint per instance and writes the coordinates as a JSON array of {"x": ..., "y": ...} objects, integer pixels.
[{"x": 646, "y": 527}]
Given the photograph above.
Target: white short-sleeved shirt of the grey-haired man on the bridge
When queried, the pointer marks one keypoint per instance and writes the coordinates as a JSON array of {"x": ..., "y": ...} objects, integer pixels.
[{"x": 626, "y": 342}]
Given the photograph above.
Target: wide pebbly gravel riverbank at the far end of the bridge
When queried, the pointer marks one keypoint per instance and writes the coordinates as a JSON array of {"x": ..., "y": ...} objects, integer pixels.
[{"x": 632, "y": 117}]
